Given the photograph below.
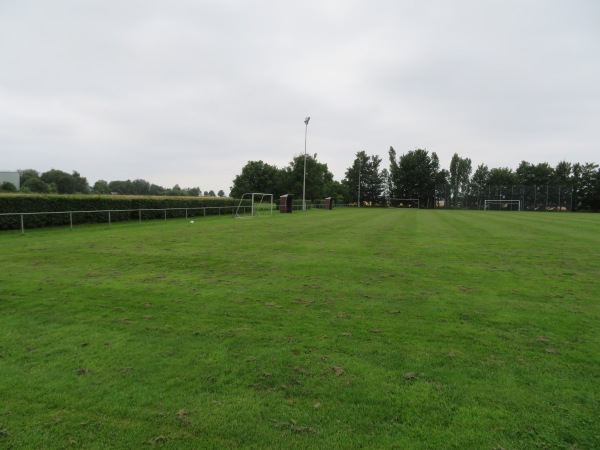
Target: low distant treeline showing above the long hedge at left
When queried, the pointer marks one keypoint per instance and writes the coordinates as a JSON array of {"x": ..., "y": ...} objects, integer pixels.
[{"x": 59, "y": 182}]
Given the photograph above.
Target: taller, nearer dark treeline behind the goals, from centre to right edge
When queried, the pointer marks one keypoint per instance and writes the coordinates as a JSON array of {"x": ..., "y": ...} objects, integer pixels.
[{"x": 417, "y": 174}]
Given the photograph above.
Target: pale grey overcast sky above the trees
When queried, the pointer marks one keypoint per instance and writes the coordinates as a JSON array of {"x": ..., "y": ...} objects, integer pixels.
[{"x": 189, "y": 91}]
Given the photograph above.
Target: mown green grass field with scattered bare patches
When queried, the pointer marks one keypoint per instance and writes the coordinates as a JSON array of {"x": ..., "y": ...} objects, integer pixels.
[{"x": 352, "y": 328}]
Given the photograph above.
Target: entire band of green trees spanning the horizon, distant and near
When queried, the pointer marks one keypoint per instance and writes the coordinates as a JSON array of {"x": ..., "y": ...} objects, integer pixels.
[{"x": 414, "y": 174}]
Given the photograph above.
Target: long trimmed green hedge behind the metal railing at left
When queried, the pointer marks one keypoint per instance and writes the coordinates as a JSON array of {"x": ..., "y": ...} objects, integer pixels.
[{"x": 135, "y": 205}]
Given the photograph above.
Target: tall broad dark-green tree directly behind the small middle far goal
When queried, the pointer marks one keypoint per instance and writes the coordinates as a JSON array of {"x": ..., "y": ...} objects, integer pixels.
[{"x": 415, "y": 176}]
